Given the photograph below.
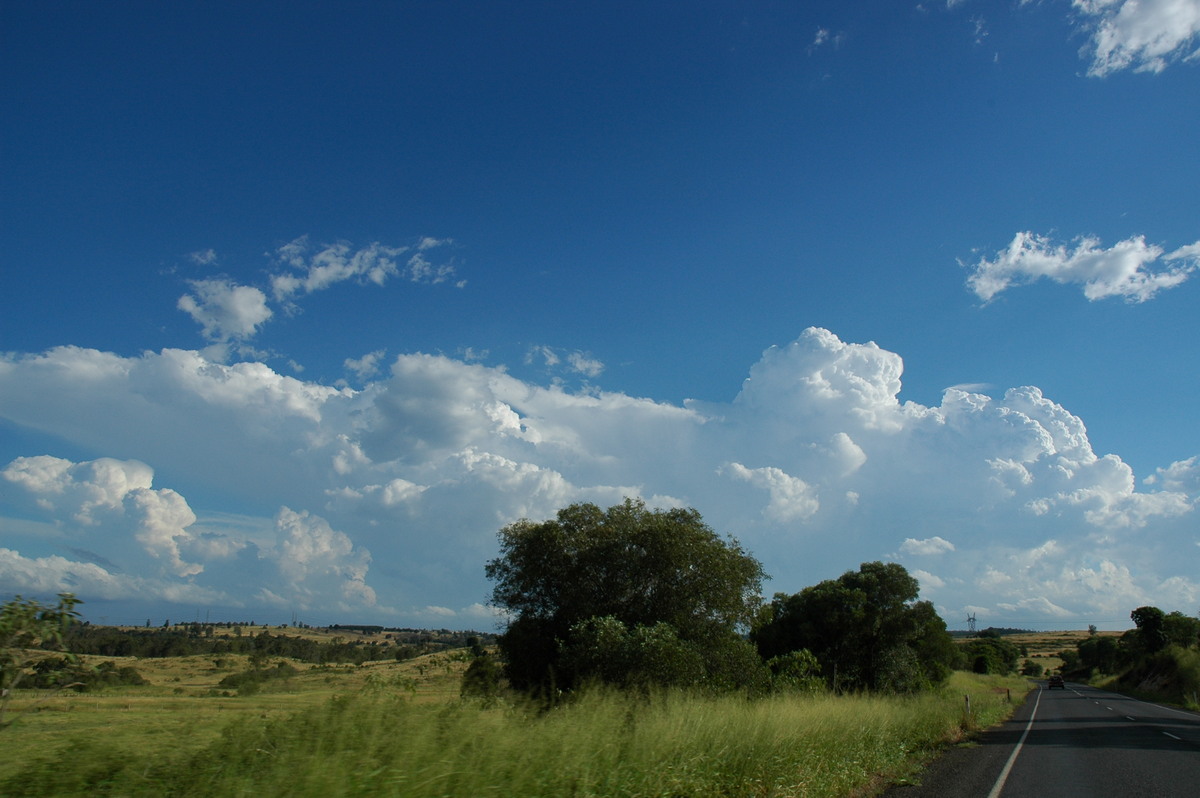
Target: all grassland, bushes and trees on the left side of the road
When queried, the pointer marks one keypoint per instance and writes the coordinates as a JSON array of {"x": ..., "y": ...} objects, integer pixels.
[{"x": 639, "y": 661}]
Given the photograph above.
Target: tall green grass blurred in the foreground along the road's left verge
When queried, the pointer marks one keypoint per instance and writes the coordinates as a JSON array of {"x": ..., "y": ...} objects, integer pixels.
[{"x": 602, "y": 743}]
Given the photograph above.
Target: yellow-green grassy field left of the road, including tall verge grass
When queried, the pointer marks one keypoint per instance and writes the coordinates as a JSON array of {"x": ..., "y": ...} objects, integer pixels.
[{"x": 399, "y": 729}]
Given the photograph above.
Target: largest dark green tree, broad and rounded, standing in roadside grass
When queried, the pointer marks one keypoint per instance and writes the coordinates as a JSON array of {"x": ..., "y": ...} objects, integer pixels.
[{"x": 665, "y": 592}]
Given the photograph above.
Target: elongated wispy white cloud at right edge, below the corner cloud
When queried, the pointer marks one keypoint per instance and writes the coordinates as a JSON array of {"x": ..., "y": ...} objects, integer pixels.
[{"x": 1123, "y": 271}]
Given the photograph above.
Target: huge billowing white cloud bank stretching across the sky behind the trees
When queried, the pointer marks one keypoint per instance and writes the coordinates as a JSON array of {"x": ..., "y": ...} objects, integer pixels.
[{"x": 815, "y": 465}]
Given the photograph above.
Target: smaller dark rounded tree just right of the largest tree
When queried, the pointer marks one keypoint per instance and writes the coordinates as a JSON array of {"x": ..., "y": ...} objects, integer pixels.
[{"x": 866, "y": 628}]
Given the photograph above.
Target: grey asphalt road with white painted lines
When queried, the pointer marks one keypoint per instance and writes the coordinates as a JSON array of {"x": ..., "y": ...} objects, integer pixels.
[{"x": 1075, "y": 743}]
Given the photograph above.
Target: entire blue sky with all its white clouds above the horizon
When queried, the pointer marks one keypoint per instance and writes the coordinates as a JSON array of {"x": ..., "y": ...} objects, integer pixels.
[{"x": 303, "y": 302}]
